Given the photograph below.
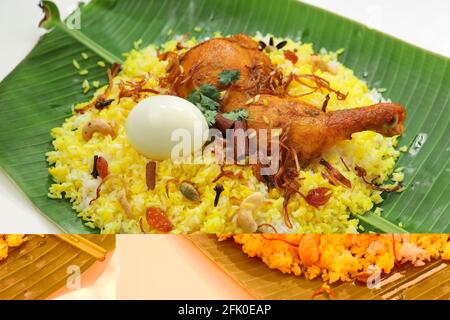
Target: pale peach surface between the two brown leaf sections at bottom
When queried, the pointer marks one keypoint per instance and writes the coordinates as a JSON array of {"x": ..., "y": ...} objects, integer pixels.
[{"x": 170, "y": 267}]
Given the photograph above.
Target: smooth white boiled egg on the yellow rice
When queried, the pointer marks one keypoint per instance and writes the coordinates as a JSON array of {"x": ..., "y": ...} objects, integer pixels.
[{"x": 158, "y": 124}]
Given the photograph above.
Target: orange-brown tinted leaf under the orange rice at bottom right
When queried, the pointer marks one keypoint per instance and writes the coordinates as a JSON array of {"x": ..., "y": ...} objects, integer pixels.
[{"x": 431, "y": 281}]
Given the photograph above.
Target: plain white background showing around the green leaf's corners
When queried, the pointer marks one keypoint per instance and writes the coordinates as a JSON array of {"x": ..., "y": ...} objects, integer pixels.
[{"x": 424, "y": 23}]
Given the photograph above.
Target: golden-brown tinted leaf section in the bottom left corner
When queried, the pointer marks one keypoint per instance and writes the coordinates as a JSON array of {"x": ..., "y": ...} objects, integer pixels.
[{"x": 39, "y": 267}]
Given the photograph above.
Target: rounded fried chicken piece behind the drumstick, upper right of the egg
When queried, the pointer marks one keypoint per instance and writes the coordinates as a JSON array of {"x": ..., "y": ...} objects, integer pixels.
[{"x": 203, "y": 64}]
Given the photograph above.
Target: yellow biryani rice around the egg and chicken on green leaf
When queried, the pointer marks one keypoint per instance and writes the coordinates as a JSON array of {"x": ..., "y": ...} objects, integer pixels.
[{"x": 71, "y": 162}]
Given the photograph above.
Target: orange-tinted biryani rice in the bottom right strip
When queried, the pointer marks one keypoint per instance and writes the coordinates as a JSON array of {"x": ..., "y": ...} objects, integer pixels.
[{"x": 343, "y": 257}]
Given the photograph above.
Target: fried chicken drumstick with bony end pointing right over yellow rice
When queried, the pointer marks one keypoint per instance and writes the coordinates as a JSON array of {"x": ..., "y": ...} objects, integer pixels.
[{"x": 311, "y": 131}]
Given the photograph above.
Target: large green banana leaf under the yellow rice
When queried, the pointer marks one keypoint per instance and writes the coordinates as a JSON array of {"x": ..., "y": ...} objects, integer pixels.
[{"x": 39, "y": 93}]
